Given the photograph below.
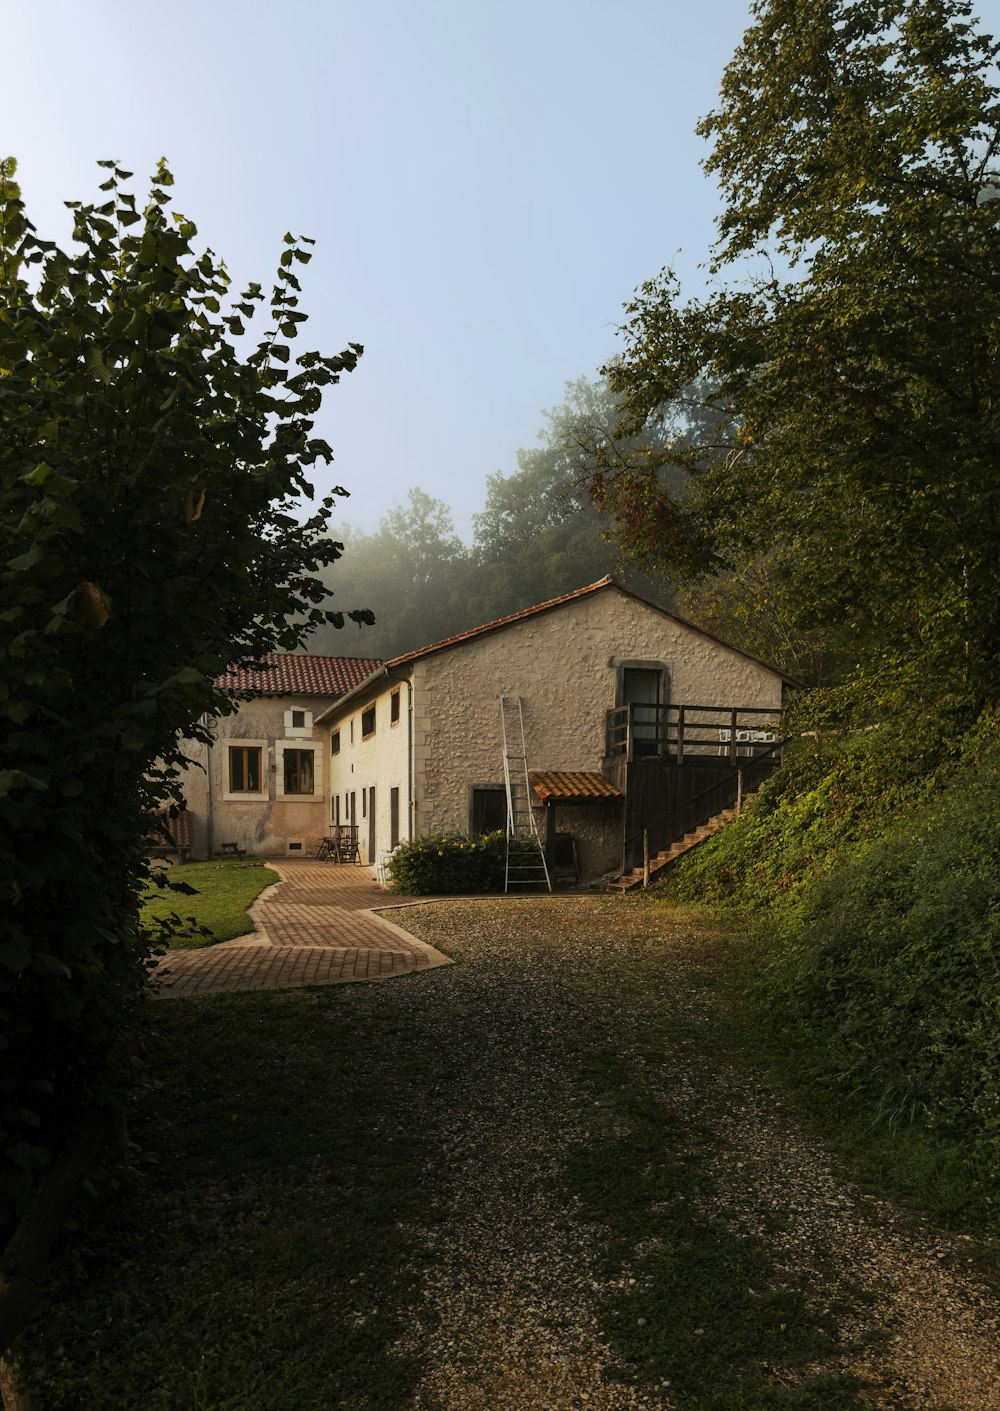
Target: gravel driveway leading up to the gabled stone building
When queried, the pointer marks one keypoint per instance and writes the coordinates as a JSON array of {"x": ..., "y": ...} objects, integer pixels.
[{"x": 521, "y": 1303}]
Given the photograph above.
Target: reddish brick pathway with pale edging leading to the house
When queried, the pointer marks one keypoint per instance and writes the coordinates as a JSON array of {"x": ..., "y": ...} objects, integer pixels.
[{"x": 315, "y": 928}]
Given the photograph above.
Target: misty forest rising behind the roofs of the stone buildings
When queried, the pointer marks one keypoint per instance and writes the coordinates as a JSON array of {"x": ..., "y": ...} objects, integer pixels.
[{"x": 548, "y": 528}]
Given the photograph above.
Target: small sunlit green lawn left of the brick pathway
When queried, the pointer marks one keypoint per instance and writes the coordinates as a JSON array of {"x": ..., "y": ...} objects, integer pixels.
[{"x": 218, "y": 905}]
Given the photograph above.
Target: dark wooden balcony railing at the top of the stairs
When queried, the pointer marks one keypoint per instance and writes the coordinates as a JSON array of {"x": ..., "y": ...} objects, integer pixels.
[{"x": 679, "y": 733}]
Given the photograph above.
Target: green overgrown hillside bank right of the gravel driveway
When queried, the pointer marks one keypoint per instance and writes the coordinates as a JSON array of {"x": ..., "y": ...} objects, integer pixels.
[{"x": 871, "y": 871}]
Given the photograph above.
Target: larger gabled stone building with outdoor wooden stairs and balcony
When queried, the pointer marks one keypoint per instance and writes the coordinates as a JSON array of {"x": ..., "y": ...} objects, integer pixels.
[{"x": 614, "y": 691}]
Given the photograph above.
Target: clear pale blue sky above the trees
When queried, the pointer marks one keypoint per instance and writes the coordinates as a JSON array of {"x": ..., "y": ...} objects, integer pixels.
[{"x": 487, "y": 181}]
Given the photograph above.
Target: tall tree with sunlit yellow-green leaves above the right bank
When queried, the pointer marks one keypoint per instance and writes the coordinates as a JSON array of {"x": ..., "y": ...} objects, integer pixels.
[{"x": 851, "y": 389}]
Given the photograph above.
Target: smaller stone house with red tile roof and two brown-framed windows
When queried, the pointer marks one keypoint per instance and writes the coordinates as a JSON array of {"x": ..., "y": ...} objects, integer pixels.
[{"x": 263, "y": 785}]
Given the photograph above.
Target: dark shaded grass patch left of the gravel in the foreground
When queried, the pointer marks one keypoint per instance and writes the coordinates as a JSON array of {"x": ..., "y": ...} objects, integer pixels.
[{"x": 255, "y": 1266}]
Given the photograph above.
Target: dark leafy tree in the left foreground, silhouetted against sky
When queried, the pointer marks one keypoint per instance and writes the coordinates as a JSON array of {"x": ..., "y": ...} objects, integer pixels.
[{"x": 149, "y": 473}]
